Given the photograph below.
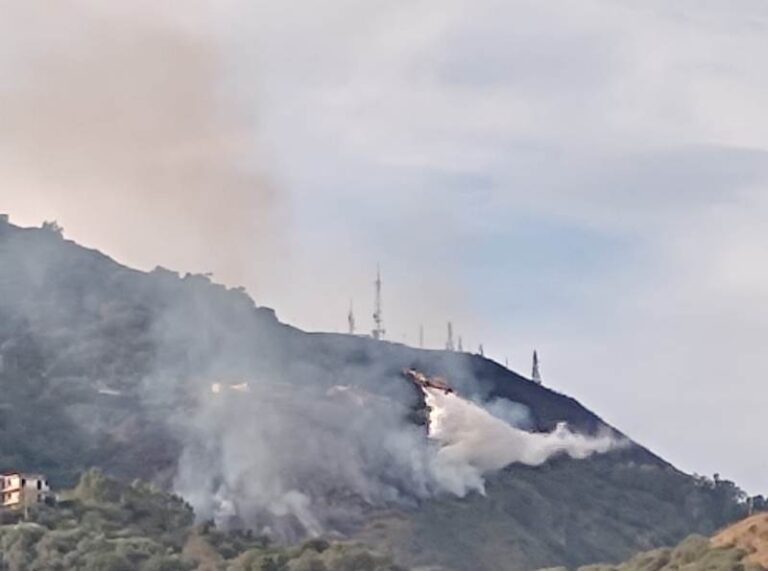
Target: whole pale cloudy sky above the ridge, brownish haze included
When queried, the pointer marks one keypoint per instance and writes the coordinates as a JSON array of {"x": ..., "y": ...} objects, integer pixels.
[{"x": 589, "y": 178}]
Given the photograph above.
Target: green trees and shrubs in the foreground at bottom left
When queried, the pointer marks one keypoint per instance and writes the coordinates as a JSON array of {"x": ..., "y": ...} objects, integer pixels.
[{"x": 106, "y": 525}]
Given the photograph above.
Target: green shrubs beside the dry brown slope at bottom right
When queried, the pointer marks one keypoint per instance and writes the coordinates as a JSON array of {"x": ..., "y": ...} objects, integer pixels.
[{"x": 696, "y": 553}]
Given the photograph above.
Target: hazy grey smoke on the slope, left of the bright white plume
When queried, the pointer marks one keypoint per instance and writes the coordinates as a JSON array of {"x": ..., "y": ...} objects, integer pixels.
[{"x": 296, "y": 460}]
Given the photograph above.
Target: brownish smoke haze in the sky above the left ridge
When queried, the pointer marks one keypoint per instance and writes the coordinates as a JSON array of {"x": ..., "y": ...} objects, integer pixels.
[{"x": 117, "y": 121}]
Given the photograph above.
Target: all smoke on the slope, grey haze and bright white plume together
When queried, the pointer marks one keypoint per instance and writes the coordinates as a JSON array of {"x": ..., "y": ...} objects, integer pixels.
[{"x": 293, "y": 461}]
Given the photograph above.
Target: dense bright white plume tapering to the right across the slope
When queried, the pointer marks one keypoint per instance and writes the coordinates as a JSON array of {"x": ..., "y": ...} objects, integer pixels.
[{"x": 474, "y": 442}]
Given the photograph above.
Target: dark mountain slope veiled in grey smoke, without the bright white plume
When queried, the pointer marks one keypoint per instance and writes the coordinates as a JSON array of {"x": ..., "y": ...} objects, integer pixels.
[{"x": 101, "y": 365}]
